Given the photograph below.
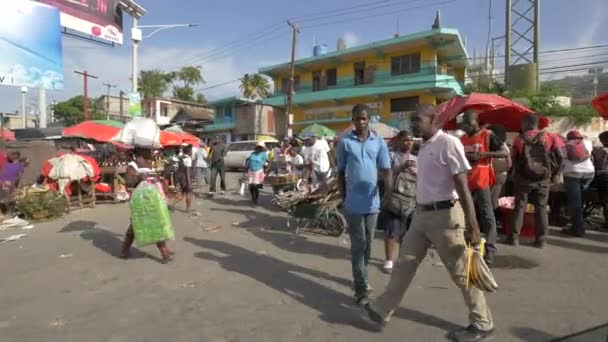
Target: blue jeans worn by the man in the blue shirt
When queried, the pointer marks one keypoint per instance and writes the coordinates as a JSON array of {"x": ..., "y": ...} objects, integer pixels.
[{"x": 361, "y": 229}]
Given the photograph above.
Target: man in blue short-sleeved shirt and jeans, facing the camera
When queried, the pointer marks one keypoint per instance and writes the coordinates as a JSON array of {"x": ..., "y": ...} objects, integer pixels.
[{"x": 362, "y": 155}]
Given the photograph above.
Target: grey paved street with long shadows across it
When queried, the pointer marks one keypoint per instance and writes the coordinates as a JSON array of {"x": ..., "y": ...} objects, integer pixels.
[{"x": 255, "y": 282}]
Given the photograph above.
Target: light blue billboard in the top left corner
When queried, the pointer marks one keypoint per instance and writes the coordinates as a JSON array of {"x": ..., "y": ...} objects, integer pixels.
[{"x": 30, "y": 45}]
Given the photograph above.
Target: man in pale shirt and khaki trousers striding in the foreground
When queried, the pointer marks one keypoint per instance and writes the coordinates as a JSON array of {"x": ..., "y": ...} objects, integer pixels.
[{"x": 444, "y": 208}]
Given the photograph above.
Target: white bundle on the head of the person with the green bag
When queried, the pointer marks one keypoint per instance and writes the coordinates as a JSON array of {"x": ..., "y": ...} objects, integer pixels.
[{"x": 140, "y": 132}]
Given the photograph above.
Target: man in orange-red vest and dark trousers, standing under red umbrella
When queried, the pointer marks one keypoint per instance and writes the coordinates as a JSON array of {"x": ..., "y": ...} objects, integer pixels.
[{"x": 480, "y": 146}]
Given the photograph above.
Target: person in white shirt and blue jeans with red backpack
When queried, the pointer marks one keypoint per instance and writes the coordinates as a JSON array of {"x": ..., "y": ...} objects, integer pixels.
[{"x": 578, "y": 174}]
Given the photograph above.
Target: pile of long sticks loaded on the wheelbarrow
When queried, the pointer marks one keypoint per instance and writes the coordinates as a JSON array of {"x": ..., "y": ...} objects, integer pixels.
[{"x": 326, "y": 193}]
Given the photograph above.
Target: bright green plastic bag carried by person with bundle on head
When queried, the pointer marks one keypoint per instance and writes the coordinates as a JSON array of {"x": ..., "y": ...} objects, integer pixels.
[{"x": 150, "y": 215}]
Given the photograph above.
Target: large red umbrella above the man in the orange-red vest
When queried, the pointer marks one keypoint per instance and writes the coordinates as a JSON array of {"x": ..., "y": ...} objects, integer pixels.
[{"x": 492, "y": 109}]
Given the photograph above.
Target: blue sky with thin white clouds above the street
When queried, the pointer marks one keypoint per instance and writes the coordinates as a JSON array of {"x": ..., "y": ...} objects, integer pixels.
[{"x": 240, "y": 36}]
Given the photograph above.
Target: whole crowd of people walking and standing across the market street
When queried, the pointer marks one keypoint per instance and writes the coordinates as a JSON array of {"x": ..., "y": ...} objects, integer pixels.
[{"x": 425, "y": 188}]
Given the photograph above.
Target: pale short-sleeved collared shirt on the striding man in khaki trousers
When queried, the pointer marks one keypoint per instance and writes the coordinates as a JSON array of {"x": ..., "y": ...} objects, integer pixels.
[{"x": 440, "y": 158}]
